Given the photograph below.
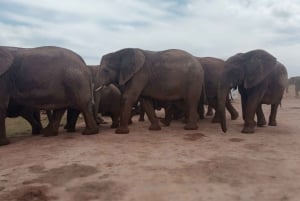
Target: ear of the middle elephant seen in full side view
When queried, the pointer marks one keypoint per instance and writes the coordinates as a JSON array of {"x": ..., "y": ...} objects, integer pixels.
[{"x": 131, "y": 62}]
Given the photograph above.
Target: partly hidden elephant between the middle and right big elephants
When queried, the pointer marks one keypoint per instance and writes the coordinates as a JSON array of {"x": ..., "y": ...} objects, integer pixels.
[{"x": 213, "y": 68}]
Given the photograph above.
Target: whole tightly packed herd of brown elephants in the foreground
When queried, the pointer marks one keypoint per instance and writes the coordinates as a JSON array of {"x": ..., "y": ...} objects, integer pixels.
[{"x": 55, "y": 79}]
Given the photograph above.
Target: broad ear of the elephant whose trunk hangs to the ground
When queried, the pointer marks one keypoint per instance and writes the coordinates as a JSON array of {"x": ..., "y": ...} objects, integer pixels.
[{"x": 258, "y": 65}]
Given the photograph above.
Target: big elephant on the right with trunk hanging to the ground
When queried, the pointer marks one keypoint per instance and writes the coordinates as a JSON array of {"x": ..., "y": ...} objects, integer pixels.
[{"x": 260, "y": 80}]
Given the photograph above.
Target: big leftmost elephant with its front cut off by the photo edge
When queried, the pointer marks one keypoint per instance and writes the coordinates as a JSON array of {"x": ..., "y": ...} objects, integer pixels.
[{"x": 45, "y": 78}]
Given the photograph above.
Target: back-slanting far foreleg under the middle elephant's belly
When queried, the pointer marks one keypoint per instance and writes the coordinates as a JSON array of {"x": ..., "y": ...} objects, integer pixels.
[{"x": 149, "y": 109}]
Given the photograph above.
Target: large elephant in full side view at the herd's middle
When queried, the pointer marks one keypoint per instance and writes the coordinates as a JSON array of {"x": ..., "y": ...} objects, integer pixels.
[{"x": 164, "y": 75}]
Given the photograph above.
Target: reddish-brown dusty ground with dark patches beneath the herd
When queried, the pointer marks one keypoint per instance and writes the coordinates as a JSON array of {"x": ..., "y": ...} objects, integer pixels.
[{"x": 172, "y": 164}]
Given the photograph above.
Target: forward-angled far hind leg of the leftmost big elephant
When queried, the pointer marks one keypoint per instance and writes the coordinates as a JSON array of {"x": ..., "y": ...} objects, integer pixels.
[{"x": 52, "y": 127}]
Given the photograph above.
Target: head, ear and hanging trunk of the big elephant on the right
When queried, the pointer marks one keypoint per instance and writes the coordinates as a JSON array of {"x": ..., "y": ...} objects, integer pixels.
[{"x": 247, "y": 69}]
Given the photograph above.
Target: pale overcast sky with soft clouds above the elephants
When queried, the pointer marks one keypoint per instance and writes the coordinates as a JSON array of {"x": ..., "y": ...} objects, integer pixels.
[{"x": 218, "y": 28}]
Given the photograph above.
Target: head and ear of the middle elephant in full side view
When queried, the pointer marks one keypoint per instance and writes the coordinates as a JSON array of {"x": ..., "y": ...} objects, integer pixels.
[{"x": 119, "y": 67}]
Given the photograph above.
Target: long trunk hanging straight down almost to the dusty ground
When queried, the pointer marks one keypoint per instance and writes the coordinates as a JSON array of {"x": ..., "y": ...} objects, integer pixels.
[{"x": 222, "y": 94}]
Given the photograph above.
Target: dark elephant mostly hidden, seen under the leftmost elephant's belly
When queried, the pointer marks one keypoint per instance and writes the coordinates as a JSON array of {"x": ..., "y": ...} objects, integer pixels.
[{"x": 30, "y": 114}]
